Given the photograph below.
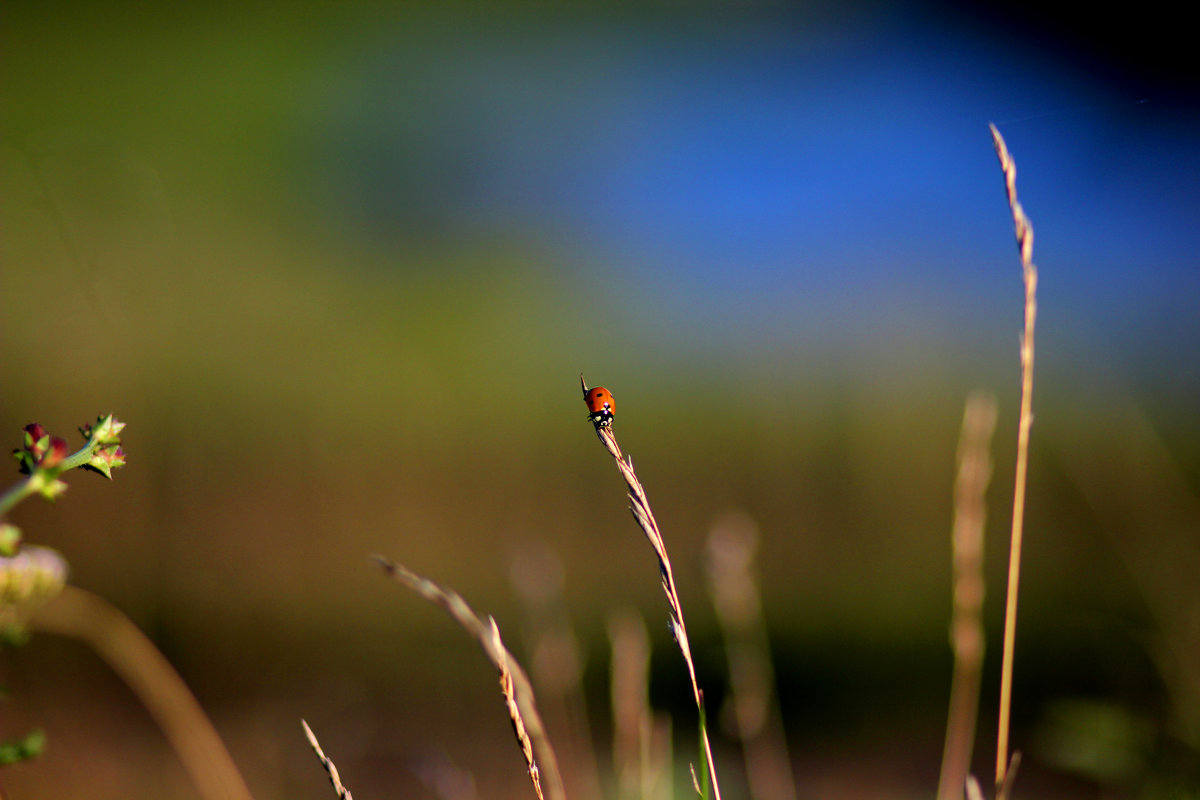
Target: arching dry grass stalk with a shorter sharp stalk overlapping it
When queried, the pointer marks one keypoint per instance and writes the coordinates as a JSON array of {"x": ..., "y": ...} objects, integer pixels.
[{"x": 523, "y": 707}]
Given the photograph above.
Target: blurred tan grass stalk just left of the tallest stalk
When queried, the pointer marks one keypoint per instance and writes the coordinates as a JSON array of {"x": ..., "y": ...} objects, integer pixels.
[{"x": 967, "y": 627}]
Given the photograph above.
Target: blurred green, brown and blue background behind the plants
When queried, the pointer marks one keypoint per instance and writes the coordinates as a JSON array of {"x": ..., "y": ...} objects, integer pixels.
[{"x": 341, "y": 266}]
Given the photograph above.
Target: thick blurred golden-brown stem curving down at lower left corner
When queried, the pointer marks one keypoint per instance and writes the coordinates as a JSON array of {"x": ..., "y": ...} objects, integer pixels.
[{"x": 91, "y": 619}]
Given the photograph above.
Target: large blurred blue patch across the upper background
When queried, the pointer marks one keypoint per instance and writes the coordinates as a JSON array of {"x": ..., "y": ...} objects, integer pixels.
[{"x": 770, "y": 169}]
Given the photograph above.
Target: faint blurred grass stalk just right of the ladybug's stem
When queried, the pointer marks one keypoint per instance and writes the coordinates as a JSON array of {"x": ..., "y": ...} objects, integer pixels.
[{"x": 733, "y": 548}]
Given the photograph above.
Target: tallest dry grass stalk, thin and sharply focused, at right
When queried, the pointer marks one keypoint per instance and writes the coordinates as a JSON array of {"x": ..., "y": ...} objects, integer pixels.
[{"x": 1024, "y": 231}]
